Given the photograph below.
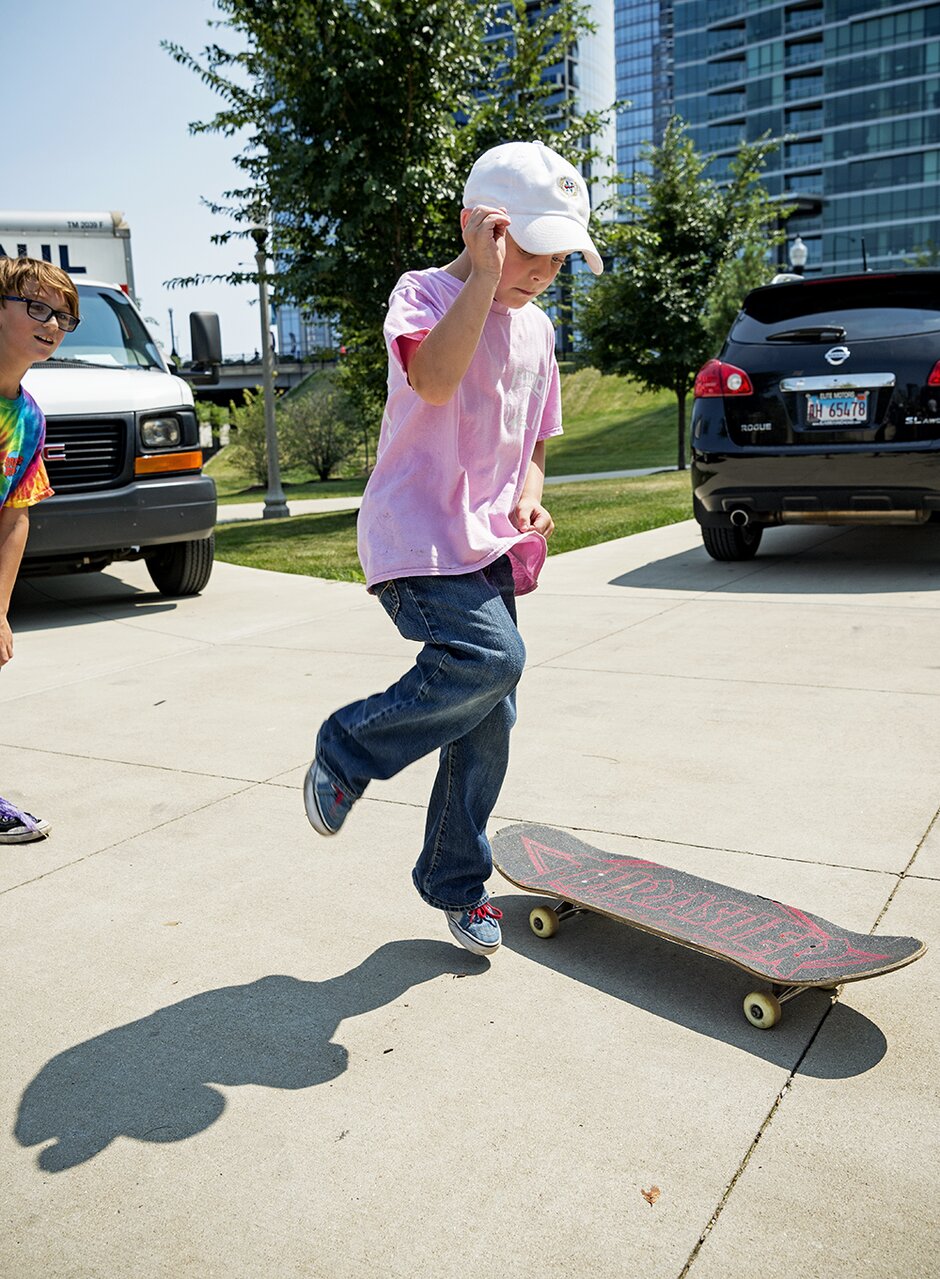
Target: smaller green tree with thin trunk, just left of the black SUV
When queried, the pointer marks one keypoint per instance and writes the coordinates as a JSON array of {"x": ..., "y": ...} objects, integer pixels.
[{"x": 681, "y": 263}]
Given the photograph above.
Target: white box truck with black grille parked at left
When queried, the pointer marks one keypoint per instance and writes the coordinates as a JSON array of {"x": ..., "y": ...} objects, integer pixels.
[{"x": 122, "y": 438}]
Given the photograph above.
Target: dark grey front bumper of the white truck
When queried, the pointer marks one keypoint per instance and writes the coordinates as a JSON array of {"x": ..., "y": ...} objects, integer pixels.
[{"x": 117, "y": 521}]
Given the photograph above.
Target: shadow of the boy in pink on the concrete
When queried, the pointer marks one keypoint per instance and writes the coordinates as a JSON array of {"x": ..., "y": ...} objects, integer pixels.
[{"x": 153, "y": 1079}]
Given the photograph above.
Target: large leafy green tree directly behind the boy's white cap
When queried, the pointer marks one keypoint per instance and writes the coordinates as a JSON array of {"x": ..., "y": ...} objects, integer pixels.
[{"x": 363, "y": 121}]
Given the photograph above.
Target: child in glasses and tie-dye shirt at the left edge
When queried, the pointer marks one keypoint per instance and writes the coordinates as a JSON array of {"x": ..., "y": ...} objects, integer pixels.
[{"x": 39, "y": 304}]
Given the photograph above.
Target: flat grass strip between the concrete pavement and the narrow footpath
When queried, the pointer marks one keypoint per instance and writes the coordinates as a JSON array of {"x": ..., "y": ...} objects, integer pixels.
[{"x": 585, "y": 514}]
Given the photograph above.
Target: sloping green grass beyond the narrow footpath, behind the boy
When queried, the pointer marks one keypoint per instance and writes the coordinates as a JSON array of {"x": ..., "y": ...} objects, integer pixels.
[{"x": 611, "y": 425}]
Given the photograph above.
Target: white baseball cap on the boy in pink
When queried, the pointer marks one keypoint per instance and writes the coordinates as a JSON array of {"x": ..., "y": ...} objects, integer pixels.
[{"x": 544, "y": 195}]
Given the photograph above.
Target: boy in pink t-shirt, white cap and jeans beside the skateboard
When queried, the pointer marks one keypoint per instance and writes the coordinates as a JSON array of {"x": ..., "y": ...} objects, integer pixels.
[{"x": 452, "y": 525}]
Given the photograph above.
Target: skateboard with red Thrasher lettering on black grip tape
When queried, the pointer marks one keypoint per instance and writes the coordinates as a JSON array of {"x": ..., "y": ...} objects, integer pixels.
[{"x": 782, "y": 945}]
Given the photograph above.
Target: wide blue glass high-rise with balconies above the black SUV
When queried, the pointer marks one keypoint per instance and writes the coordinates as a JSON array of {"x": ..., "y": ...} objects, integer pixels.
[{"x": 851, "y": 88}]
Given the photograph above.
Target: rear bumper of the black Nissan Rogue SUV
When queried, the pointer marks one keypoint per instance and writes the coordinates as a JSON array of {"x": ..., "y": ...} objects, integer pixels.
[{"x": 777, "y": 489}]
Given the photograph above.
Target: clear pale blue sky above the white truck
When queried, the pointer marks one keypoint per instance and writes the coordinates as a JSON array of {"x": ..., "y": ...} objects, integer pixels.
[{"x": 117, "y": 137}]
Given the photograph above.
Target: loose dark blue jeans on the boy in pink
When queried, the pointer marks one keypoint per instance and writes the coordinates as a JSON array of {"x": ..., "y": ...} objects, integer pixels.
[{"x": 458, "y": 699}]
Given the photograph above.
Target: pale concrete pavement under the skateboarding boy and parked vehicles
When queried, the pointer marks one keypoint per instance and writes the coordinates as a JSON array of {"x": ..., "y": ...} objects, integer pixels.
[{"x": 235, "y": 1049}]
